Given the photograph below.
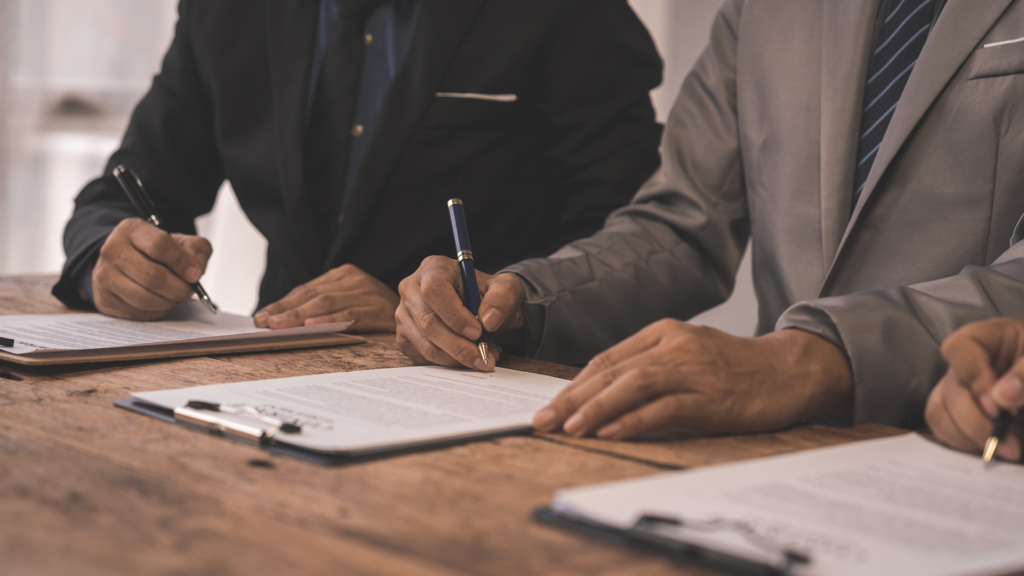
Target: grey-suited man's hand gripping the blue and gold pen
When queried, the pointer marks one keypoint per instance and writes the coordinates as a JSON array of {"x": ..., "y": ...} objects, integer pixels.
[{"x": 436, "y": 326}]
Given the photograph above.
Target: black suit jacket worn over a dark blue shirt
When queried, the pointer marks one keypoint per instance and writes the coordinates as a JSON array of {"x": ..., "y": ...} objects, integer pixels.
[{"x": 230, "y": 103}]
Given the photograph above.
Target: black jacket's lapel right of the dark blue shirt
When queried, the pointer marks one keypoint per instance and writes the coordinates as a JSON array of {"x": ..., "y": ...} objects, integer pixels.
[{"x": 442, "y": 26}]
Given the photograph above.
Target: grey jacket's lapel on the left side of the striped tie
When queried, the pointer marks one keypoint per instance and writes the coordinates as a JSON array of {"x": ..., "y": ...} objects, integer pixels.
[{"x": 846, "y": 36}]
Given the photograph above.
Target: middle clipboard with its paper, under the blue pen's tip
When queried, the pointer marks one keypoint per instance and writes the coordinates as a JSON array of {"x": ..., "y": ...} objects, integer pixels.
[{"x": 342, "y": 418}]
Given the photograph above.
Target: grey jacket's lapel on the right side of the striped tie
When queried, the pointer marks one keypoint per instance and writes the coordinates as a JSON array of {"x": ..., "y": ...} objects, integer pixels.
[{"x": 959, "y": 31}]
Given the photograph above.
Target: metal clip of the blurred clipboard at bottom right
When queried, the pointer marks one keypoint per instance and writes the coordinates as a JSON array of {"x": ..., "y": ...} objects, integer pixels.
[{"x": 656, "y": 531}]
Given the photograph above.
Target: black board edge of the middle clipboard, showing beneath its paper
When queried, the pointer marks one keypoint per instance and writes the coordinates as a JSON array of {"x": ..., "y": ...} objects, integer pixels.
[{"x": 314, "y": 457}]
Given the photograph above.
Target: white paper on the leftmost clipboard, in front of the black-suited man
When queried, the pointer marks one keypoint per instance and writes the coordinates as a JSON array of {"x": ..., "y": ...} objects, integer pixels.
[{"x": 51, "y": 335}]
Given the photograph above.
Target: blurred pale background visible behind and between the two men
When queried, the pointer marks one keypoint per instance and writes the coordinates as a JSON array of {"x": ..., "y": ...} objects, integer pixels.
[{"x": 71, "y": 71}]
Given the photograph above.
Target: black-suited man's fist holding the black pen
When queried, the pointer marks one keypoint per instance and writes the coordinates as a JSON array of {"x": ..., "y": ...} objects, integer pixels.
[{"x": 143, "y": 272}]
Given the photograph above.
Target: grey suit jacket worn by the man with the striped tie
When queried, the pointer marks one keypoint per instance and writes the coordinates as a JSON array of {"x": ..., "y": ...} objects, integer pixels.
[{"x": 761, "y": 145}]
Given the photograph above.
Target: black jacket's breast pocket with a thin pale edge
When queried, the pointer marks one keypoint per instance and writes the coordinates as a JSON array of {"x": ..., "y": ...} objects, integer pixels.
[{"x": 457, "y": 111}]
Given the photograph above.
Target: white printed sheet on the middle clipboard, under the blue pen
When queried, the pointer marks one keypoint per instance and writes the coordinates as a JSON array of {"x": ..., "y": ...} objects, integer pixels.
[{"x": 364, "y": 413}]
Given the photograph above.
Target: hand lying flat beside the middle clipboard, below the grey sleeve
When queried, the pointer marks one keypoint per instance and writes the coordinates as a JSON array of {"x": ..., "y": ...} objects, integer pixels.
[{"x": 675, "y": 375}]
